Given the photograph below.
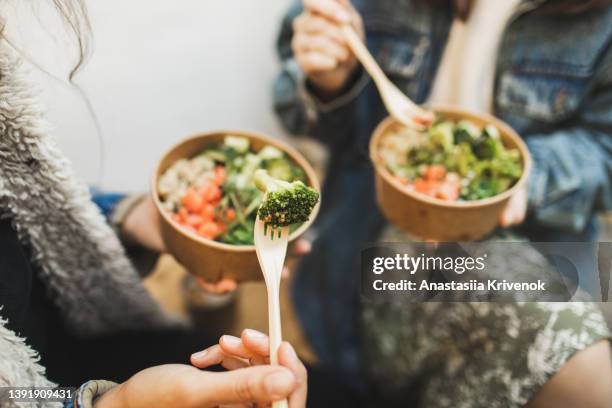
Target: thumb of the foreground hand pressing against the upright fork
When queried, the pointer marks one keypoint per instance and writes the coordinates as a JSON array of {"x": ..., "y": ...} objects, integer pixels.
[{"x": 245, "y": 385}]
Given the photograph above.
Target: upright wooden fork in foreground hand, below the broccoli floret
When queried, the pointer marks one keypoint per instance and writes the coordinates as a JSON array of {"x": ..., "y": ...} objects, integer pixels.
[{"x": 271, "y": 248}]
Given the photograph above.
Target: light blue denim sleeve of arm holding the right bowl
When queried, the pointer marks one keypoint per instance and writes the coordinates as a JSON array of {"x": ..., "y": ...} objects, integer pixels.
[{"x": 572, "y": 175}]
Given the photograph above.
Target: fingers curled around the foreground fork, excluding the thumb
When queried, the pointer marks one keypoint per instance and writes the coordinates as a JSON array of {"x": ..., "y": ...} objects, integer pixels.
[{"x": 252, "y": 350}]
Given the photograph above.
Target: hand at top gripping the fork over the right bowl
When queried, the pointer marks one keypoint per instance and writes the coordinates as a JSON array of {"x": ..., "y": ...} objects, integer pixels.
[{"x": 319, "y": 46}]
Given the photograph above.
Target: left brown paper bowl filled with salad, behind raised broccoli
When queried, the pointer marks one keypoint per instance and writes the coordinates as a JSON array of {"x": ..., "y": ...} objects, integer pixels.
[{"x": 208, "y": 190}]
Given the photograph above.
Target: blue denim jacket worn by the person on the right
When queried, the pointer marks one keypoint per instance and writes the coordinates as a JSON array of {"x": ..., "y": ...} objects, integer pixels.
[{"x": 553, "y": 85}]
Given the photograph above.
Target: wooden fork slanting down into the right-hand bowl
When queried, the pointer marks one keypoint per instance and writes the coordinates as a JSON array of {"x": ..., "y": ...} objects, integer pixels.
[{"x": 399, "y": 105}]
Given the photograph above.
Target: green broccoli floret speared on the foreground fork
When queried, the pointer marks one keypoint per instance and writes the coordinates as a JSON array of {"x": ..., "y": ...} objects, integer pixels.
[{"x": 284, "y": 203}]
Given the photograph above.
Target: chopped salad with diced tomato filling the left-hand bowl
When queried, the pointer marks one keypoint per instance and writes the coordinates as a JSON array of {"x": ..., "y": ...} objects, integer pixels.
[{"x": 214, "y": 195}]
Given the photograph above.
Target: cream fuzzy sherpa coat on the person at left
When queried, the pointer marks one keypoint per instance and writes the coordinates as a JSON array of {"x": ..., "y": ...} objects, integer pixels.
[{"x": 82, "y": 263}]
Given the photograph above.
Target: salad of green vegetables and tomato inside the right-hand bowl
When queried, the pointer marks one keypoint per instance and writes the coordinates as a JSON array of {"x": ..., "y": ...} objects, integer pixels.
[{"x": 478, "y": 157}]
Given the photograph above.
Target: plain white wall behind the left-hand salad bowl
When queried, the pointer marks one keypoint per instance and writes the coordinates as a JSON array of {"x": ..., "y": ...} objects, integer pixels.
[{"x": 160, "y": 71}]
